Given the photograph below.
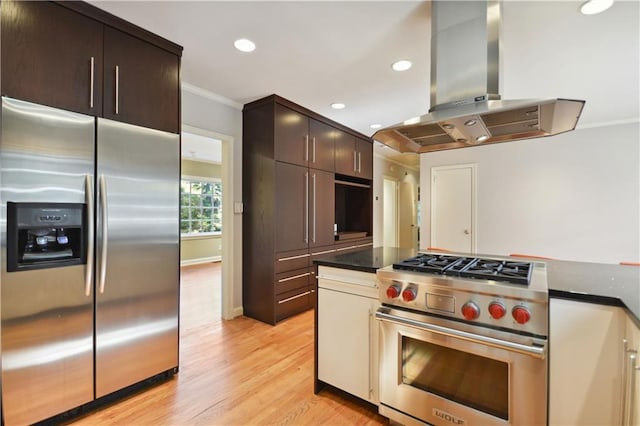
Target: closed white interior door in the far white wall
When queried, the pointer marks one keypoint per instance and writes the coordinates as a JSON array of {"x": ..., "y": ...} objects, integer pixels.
[{"x": 453, "y": 208}]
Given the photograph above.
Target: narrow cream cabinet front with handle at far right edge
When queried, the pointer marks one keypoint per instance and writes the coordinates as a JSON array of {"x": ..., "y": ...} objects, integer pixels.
[{"x": 631, "y": 375}]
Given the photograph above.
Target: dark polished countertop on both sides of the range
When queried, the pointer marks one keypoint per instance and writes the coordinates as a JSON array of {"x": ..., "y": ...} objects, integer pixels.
[{"x": 605, "y": 284}]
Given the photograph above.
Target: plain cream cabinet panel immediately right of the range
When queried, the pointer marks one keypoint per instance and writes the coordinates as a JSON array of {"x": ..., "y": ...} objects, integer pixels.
[{"x": 585, "y": 363}]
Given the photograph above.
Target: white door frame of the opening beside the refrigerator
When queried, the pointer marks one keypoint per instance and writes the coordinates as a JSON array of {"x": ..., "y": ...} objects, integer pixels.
[{"x": 228, "y": 231}]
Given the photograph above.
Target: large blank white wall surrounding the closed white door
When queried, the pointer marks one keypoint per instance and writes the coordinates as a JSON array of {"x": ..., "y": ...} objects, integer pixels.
[{"x": 574, "y": 196}]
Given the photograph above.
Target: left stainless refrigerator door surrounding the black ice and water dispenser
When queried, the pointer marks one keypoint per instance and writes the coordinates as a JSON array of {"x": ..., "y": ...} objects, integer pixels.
[{"x": 47, "y": 155}]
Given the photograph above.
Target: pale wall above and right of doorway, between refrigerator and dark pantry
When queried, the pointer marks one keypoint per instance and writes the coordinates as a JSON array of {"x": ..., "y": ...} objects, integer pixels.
[{"x": 207, "y": 112}]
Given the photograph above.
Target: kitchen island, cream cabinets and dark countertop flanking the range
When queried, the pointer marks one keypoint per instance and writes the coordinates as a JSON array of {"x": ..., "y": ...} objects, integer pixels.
[{"x": 594, "y": 308}]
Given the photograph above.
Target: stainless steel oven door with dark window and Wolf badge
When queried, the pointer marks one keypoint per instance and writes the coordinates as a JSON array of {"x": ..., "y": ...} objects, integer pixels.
[{"x": 443, "y": 372}]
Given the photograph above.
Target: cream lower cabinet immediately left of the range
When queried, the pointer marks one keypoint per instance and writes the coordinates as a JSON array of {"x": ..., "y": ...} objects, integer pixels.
[{"x": 348, "y": 331}]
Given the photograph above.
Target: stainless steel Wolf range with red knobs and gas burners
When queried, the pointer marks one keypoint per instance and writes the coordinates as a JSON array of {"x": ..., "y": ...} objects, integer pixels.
[{"x": 463, "y": 341}]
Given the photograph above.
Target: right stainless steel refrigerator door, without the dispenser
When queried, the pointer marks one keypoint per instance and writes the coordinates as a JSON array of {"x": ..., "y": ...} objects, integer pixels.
[{"x": 137, "y": 254}]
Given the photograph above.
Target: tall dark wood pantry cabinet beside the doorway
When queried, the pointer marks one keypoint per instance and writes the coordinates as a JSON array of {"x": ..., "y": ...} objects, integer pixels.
[{"x": 290, "y": 209}]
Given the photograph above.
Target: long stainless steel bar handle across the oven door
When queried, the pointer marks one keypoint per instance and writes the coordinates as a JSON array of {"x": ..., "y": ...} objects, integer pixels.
[{"x": 535, "y": 351}]
